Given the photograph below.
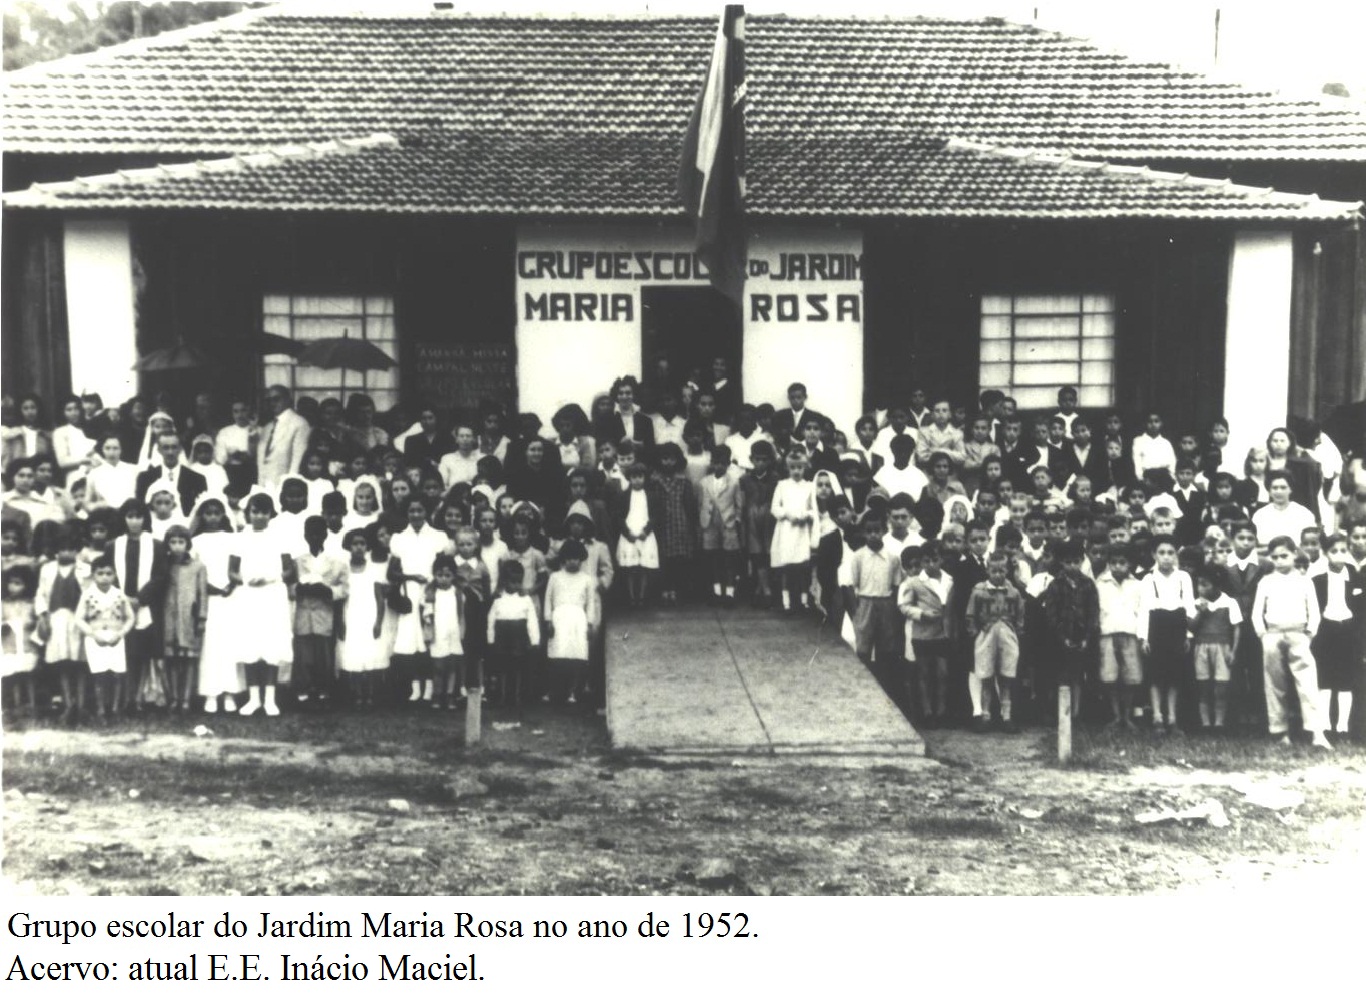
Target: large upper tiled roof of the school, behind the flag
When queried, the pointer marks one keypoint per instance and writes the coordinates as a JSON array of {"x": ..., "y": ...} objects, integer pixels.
[{"x": 279, "y": 77}]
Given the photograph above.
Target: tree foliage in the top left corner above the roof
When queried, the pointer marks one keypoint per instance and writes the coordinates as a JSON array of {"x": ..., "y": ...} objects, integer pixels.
[{"x": 38, "y": 32}]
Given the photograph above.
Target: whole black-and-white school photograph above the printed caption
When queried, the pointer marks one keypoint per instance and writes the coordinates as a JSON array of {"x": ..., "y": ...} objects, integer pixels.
[{"x": 682, "y": 450}]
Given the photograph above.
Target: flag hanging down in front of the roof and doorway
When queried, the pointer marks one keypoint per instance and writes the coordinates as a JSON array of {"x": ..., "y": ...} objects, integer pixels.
[{"x": 712, "y": 173}]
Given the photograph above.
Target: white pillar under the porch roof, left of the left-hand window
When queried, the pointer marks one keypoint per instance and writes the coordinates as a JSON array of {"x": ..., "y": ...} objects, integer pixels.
[{"x": 100, "y": 308}]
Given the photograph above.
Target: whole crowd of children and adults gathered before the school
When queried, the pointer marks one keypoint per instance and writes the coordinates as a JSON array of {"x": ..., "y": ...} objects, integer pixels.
[{"x": 976, "y": 561}]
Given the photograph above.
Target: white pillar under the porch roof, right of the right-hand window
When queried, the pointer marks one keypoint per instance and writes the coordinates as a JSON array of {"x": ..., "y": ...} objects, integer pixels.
[{"x": 1257, "y": 338}]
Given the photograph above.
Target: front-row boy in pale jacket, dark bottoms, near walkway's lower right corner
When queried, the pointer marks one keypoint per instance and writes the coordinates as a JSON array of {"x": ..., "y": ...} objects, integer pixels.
[{"x": 925, "y": 600}]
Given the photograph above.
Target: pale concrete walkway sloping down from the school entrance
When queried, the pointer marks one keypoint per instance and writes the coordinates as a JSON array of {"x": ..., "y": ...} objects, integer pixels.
[{"x": 703, "y": 681}]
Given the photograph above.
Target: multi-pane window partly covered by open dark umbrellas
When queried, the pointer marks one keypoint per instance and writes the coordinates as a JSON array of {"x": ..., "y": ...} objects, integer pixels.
[{"x": 313, "y": 318}]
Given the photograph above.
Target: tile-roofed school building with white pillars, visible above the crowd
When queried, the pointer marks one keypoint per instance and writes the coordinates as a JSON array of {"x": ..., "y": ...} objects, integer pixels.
[{"x": 951, "y": 204}]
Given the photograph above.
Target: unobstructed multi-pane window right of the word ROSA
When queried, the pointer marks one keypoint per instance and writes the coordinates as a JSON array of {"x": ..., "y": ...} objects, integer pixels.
[{"x": 1035, "y": 345}]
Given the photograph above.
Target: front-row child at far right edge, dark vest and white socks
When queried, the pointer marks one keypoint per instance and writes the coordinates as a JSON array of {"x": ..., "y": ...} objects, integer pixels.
[{"x": 1338, "y": 648}]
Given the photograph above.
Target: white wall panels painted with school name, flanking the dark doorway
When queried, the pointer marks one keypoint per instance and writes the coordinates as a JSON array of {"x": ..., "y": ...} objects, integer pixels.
[{"x": 580, "y": 311}]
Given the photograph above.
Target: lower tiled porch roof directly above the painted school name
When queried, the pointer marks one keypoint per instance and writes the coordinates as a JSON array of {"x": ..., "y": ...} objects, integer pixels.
[{"x": 529, "y": 174}]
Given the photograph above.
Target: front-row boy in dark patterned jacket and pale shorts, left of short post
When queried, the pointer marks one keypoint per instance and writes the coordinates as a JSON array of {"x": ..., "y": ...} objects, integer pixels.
[{"x": 995, "y": 620}]
